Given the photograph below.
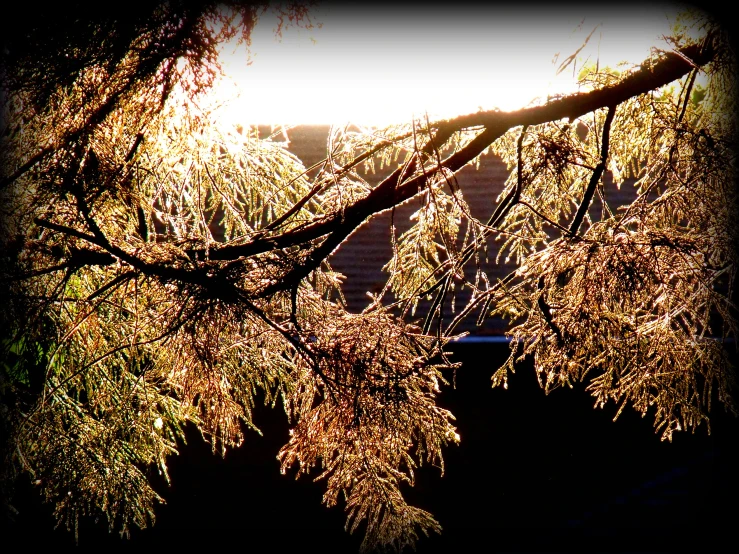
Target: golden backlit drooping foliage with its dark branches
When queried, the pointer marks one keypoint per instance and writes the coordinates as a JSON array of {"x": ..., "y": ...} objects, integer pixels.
[{"x": 159, "y": 268}]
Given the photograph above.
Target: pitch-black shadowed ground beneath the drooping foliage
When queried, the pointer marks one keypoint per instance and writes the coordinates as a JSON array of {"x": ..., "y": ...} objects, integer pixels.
[{"x": 533, "y": 473}]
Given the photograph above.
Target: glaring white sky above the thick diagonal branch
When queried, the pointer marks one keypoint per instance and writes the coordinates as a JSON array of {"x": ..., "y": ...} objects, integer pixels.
[{"x": 382, "y": 64}]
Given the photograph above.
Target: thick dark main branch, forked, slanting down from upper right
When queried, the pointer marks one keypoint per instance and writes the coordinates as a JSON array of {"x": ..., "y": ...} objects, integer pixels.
[{"x": 395, "y": 190}]
